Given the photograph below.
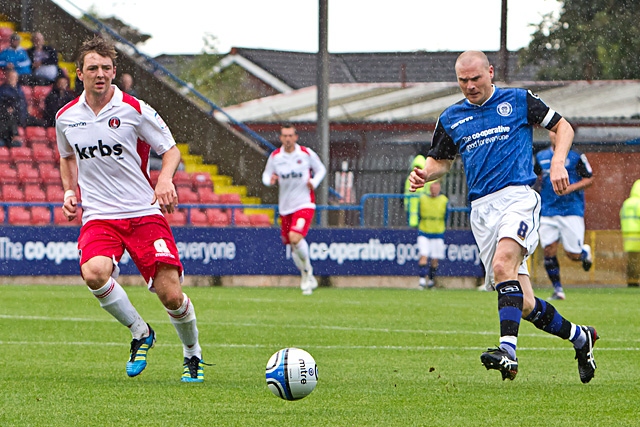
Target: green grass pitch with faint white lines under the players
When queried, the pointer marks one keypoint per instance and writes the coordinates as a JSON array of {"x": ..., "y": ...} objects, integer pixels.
[{"x": 385, "y": 358}]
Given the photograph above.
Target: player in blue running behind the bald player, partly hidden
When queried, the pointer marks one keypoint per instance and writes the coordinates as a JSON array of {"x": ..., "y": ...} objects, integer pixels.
[{"x": 562, "y": 217}]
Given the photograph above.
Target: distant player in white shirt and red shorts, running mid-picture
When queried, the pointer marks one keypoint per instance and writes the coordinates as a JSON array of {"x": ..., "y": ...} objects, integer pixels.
[{"x": 297, "y": 171}]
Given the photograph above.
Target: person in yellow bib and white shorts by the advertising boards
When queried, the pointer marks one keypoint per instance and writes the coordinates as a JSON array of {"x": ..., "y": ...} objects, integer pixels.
[{"x": 432, "y": 223}]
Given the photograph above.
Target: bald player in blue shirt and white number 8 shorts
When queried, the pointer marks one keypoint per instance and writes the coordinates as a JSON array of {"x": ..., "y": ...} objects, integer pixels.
[{"x": 492, "y": 131}]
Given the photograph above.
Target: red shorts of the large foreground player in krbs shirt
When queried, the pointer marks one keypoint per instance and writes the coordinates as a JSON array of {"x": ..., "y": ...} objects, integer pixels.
[{"x": 148, "y": 239}]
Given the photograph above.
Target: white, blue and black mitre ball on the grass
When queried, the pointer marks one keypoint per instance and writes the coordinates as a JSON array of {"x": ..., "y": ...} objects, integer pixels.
[{"x": 291, "y": 373}]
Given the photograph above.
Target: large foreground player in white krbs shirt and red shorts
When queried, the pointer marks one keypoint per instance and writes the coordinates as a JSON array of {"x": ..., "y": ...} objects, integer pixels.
[{"x": 104, "y": 137}]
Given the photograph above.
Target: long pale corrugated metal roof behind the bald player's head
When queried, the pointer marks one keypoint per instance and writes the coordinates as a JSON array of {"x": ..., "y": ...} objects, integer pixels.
[{"x": 395, "y": 102}]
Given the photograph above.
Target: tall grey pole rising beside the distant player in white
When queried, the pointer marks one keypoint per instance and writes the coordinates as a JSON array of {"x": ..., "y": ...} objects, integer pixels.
[{"x": 322, "y": 83}]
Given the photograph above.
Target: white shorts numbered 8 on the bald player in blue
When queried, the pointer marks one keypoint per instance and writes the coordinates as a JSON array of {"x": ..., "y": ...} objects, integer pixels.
[{"x": 513, "y": 212}]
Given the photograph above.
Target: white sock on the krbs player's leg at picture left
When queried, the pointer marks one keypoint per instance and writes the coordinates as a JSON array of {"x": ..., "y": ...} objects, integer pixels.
[{"x": 115, "y": 301}]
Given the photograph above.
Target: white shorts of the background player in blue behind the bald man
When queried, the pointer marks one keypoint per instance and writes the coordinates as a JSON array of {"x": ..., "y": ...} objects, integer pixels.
[{"x": 569, "y": 230}]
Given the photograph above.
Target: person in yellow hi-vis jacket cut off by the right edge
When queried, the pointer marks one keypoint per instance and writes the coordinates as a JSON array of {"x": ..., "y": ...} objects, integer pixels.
[{"x": 630, "y": 225}]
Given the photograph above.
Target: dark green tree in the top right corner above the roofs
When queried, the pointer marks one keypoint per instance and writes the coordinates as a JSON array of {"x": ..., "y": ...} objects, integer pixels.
[{"x": 590, "y": 40}]
